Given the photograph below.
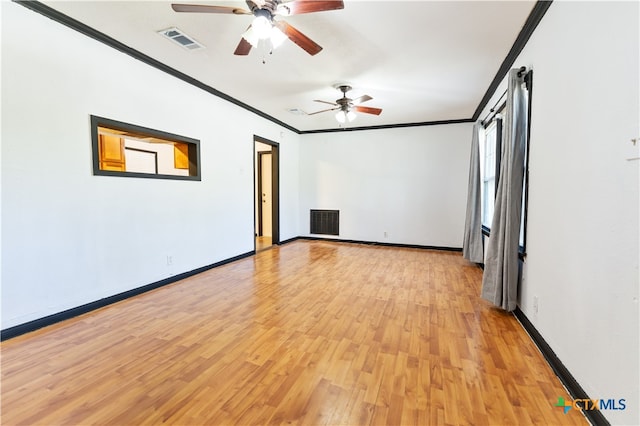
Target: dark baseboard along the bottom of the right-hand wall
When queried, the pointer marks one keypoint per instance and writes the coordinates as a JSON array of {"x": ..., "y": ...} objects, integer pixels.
[{"x": 575, "y": 390}]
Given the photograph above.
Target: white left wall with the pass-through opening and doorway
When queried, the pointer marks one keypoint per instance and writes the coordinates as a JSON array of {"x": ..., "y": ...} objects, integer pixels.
[{"x": 69, "y": 237}]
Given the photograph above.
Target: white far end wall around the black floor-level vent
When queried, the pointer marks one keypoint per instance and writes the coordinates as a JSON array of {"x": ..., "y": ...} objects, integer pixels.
[{"x": 408, "y": 182}]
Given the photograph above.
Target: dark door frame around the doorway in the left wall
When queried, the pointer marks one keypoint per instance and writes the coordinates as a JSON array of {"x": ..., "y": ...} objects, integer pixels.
[{"x": 275, "y": 187}]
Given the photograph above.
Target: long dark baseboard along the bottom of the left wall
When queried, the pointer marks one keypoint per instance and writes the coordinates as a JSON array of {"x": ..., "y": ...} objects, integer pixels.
[{"x": 79, "y": 310}]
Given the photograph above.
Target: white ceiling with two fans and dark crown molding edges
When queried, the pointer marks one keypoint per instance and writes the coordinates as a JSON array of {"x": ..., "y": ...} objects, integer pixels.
[{"x": 420, "y": 61}]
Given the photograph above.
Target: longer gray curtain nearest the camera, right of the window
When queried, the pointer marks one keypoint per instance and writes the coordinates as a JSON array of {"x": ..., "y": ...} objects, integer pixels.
[{"x": 500, "y": 278}]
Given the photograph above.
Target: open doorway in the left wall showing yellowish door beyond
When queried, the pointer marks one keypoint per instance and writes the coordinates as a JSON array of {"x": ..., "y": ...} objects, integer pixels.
[{"x": 266, "y": 197}]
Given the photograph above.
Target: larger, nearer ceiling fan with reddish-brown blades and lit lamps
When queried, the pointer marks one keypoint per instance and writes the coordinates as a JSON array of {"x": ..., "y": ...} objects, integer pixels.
[{"x": 264, "y": 26}]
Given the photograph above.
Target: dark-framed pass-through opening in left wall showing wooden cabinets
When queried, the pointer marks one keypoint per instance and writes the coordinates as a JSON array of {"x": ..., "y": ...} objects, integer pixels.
[{"x": 123, "y": 149}]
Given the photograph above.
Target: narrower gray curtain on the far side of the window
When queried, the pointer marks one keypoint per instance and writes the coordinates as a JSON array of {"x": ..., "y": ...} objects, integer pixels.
[{"x": 472, "y": 243}]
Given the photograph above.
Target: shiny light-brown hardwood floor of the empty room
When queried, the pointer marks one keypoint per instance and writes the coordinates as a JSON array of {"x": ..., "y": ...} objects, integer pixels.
[{"x": 311, "y": 333}]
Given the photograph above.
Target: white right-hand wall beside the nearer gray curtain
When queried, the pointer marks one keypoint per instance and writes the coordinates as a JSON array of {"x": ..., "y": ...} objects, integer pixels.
[{"x": 582, "y": 240}]
